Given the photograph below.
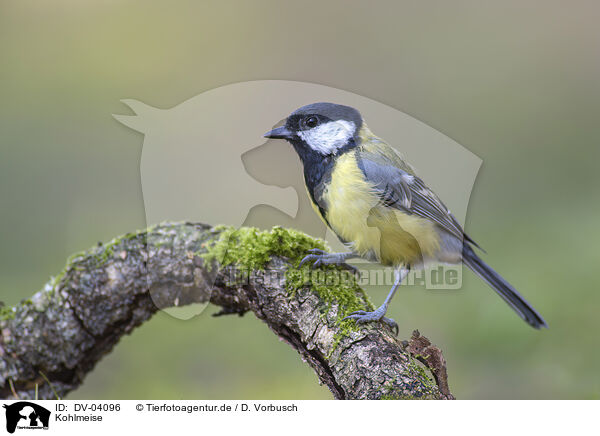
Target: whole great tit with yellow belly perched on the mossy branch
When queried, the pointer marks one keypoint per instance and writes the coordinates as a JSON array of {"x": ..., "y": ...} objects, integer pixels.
[{"x": 377, "y": 206}]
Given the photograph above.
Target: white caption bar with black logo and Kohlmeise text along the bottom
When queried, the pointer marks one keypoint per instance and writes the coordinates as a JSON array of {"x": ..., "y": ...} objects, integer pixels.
[{"x": 295, "y": 417}]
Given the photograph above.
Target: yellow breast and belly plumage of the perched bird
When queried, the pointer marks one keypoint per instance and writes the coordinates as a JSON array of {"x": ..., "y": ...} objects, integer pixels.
[{"x": 375, "y": 231}]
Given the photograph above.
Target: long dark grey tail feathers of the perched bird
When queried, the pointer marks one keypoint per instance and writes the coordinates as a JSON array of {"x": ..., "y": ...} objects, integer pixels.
[{"x": 503, "y": 288}]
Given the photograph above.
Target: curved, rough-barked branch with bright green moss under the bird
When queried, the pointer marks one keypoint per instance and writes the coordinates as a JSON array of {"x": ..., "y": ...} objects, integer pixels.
[{"x": 51, "y": 341}]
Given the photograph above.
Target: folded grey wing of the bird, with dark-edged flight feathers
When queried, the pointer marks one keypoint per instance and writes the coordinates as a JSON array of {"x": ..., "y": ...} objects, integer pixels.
[{"x": 405, "y": 191}]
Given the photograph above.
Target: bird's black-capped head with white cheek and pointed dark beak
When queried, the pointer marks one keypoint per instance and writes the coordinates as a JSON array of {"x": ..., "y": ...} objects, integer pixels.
[{"x": 323, "y": 128}]
